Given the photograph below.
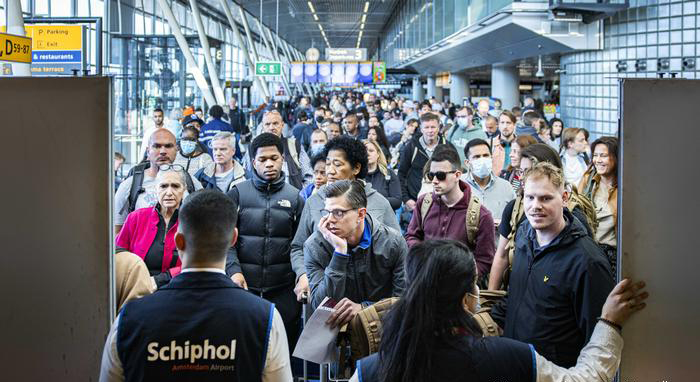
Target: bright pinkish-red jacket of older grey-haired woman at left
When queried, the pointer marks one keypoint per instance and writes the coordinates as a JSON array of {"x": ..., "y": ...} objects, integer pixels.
[{"x": 138, "y": 233}]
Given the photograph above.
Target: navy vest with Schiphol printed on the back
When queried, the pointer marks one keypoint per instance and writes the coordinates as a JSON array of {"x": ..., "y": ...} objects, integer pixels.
[{"x": 199, "y": 327}]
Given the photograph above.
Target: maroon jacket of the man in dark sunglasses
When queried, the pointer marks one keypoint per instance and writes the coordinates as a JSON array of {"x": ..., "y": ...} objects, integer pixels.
[{"x": 442, "y": 222}]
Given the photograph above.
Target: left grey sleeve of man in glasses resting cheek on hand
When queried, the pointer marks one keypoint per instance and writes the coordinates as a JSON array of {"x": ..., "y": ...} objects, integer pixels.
[{"x": 326, "y": 276}]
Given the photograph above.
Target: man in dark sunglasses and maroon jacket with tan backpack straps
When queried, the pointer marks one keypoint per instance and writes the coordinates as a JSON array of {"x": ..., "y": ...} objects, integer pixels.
[{"x": 446, "y": 215}]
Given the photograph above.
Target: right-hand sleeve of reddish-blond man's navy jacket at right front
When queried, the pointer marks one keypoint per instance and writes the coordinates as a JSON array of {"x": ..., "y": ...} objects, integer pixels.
[{"x": 592, "y": 289}]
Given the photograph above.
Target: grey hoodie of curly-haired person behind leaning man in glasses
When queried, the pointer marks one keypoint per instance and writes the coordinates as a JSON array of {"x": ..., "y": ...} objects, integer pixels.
[{"x": 377, "y": 207}]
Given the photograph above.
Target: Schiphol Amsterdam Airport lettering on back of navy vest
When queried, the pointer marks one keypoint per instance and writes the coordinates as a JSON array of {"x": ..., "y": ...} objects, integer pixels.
[{"x": 193, "y": 353}]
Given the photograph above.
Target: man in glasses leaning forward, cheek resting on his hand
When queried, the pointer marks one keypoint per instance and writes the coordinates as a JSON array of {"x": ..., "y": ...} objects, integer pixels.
[{"x": 352, "y": 258}]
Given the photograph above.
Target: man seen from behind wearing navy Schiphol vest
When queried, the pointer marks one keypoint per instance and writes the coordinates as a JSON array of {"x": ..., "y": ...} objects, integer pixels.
[{"x": 201, "y": 326}]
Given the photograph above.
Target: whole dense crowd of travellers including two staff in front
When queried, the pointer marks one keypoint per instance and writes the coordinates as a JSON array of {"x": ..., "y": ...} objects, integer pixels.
[{"x": 232, "y": 221}]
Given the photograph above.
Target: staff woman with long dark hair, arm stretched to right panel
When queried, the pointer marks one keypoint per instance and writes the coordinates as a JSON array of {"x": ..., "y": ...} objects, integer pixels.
[{"x": 430, "y": 334}]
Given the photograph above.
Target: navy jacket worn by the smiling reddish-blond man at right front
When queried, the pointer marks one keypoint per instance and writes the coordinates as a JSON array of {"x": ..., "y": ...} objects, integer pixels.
[{"x": 555, "y": 292}]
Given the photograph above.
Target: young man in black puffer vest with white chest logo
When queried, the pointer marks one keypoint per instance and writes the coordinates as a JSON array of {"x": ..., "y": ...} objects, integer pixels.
[{"x": 269, "y": 211}]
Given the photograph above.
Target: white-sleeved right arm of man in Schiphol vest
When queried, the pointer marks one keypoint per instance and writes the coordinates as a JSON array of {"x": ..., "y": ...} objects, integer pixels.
[{"x": 277, "y": 364}]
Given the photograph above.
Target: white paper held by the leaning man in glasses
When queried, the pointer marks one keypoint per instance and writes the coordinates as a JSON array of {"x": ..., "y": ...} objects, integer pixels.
[{"x": 317, "y": 340}]
